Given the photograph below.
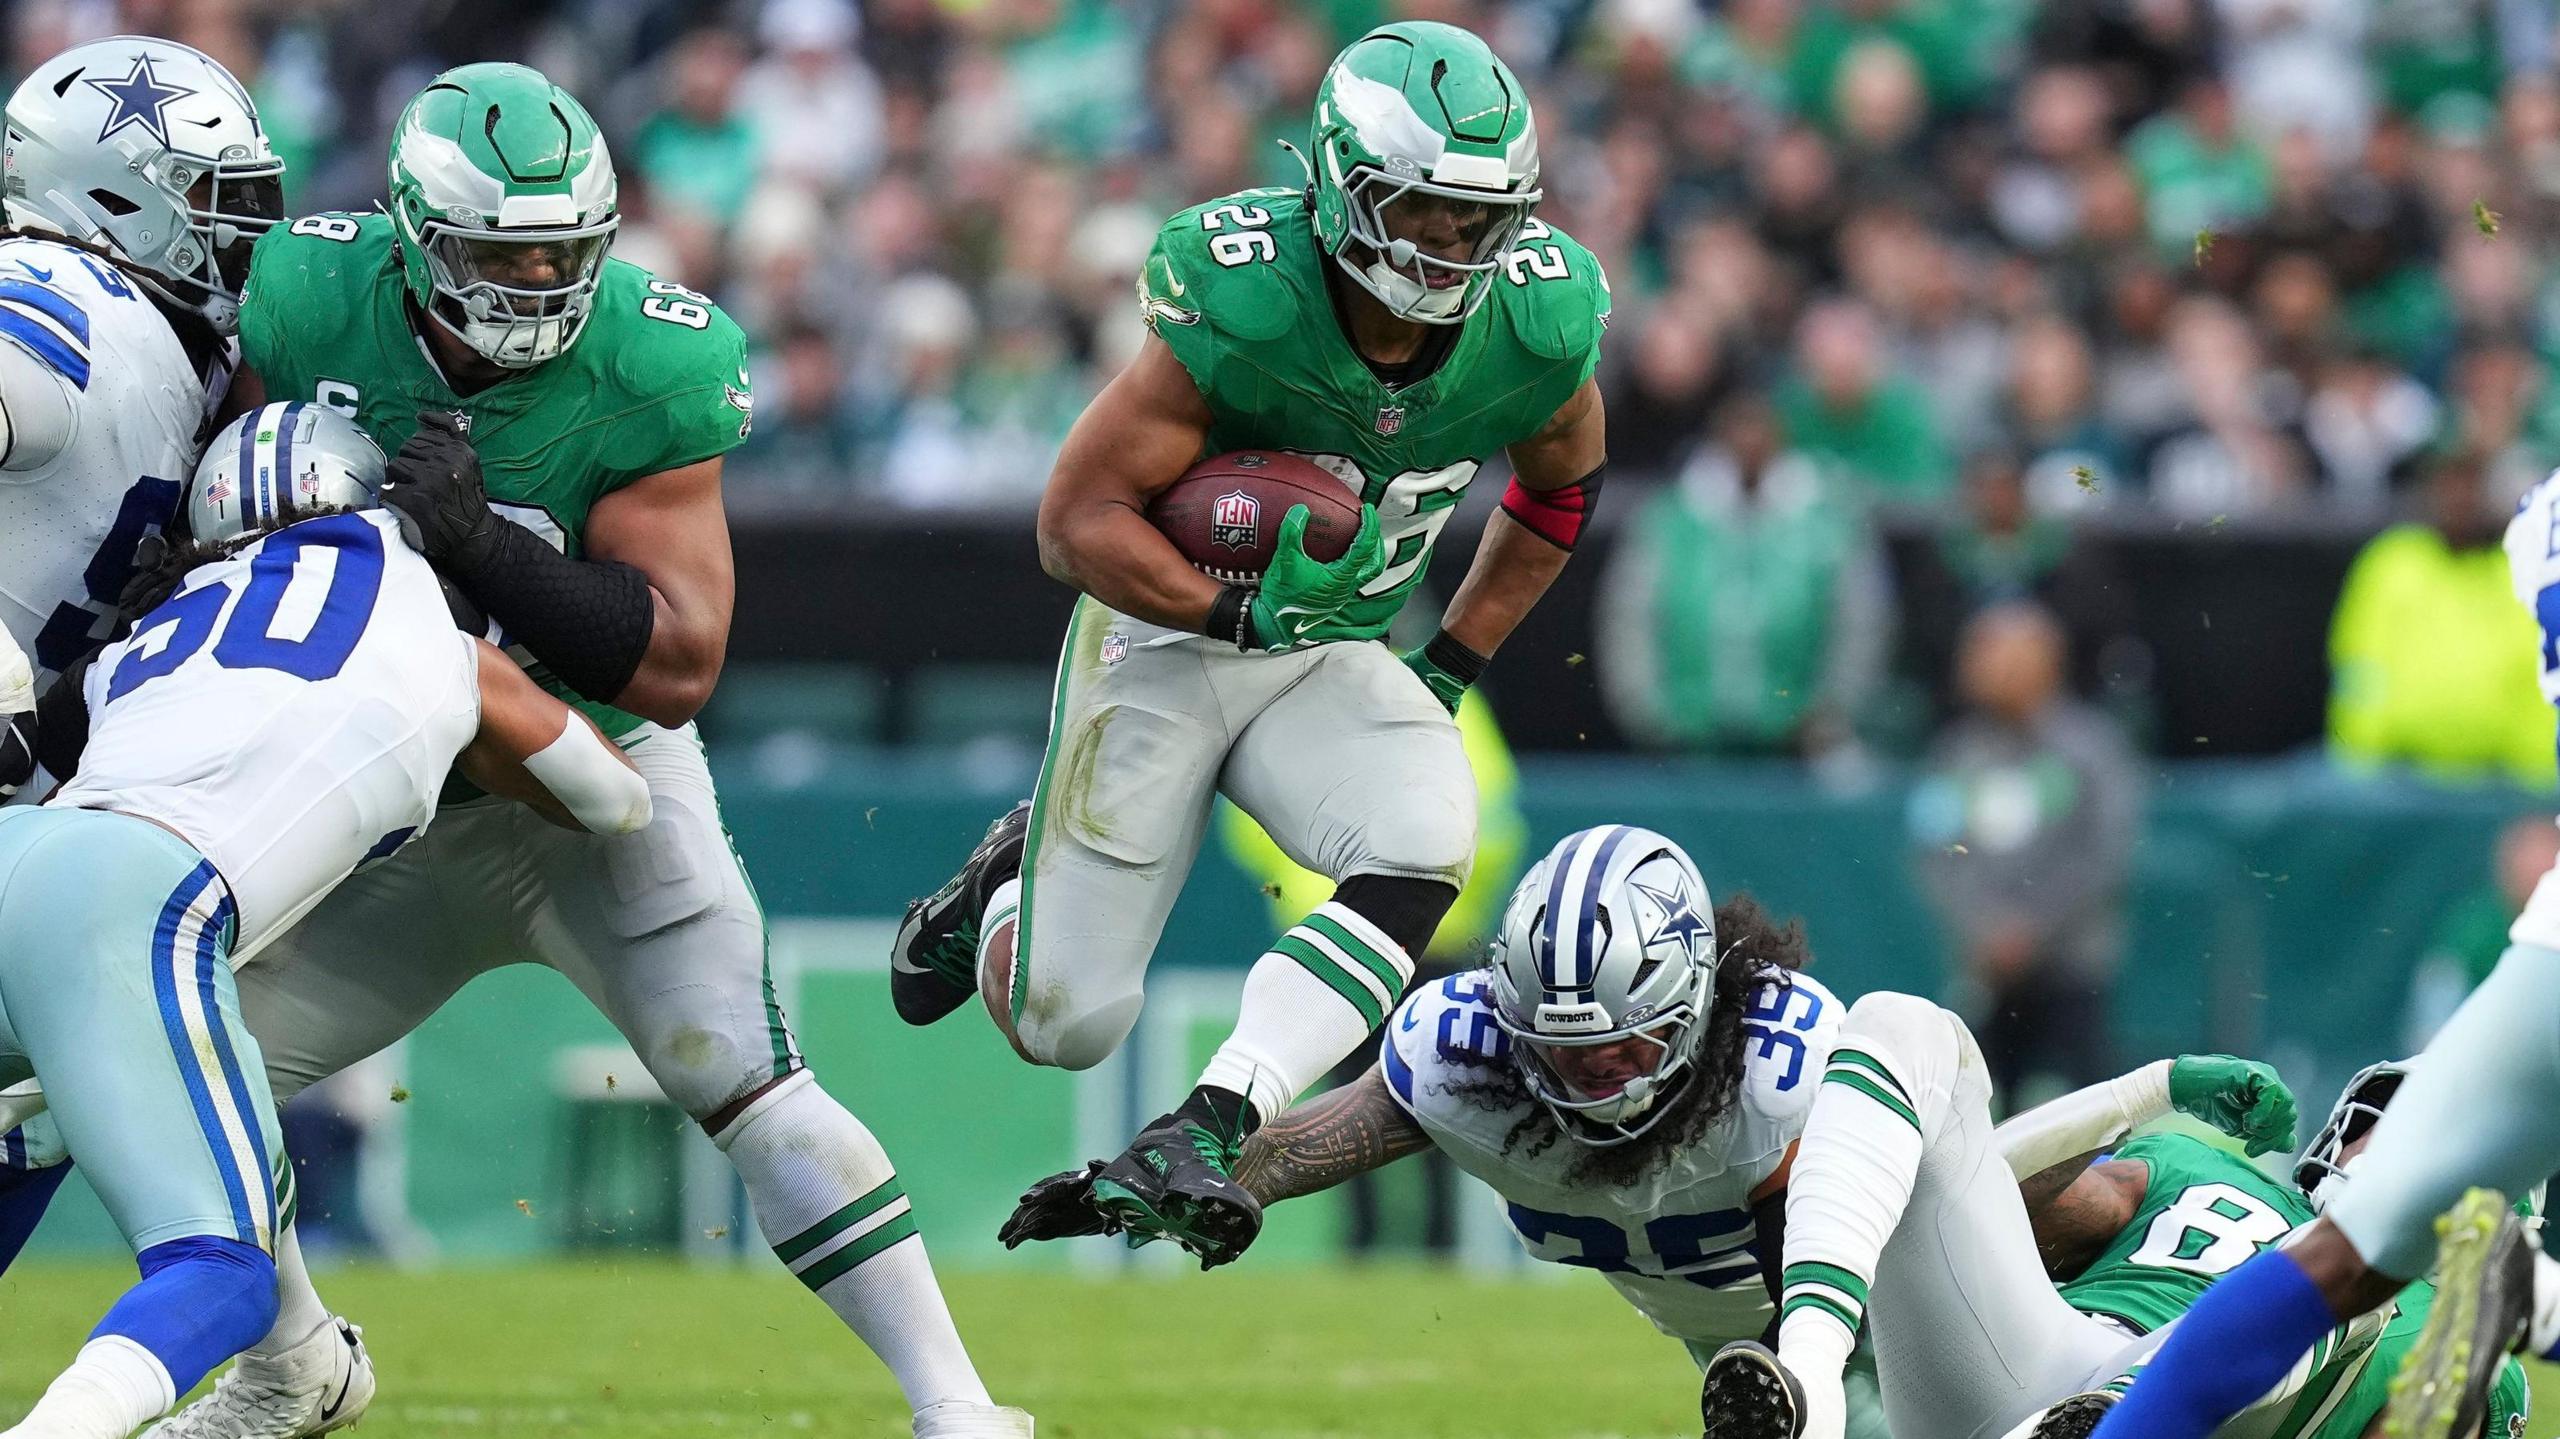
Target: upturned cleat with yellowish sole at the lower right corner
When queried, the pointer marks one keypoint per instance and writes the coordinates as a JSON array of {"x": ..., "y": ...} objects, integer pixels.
[{"x": 2484, "y": 1297}]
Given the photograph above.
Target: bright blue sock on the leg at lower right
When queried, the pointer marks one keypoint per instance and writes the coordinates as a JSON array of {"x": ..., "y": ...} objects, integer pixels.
[{"x": 2228, "y": 1351}]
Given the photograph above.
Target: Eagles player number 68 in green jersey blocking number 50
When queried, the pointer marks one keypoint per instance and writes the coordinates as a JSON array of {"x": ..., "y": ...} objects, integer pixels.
[{"x": 559, "y": 424}]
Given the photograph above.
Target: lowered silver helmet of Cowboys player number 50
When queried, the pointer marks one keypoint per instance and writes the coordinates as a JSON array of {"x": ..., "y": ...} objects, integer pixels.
[{"x": 275, "y": 460}]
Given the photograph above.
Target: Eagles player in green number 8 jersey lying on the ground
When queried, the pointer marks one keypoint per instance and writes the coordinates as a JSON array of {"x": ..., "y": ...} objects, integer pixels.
[{"x": 1891, "y": 1197}]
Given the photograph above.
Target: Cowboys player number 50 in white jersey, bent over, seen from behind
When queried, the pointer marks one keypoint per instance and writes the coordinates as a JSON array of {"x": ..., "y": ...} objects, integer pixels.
[{"x": 283, "y": 718}]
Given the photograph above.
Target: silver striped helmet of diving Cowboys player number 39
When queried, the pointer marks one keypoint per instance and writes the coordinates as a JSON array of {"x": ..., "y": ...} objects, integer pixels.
[{"x": 1609, "y": 941}]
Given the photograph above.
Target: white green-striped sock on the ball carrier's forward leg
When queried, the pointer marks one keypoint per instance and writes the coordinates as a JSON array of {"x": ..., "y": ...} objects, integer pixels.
[{"x": 1307, "y": 1005}]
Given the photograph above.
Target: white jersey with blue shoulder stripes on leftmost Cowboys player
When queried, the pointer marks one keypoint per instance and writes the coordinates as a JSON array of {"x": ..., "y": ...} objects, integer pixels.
[{"x": 68, "y": 531}]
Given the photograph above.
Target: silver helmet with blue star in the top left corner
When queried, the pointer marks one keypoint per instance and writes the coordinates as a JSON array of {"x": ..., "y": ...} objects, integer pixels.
[{"x": 152, "y": 152}]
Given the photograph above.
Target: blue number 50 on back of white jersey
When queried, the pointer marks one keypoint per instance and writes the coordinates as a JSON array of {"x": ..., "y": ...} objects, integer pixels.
[{"x": 244, "y": 641}]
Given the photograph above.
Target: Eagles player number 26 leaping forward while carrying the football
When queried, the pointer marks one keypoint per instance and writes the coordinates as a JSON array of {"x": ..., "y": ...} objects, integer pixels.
[{"x": 1402, "y": 321}]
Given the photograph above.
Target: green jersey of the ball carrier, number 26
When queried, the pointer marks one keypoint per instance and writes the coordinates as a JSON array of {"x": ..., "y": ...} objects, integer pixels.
[{"x": 1238, "y": 291}]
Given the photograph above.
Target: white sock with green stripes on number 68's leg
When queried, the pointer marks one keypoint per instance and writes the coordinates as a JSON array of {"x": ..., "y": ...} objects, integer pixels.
[{"x": 831, "y": 1205}]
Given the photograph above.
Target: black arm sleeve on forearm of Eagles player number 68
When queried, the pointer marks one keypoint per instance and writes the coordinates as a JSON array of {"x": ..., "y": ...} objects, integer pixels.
[{"x": 590, "y": 621}]
